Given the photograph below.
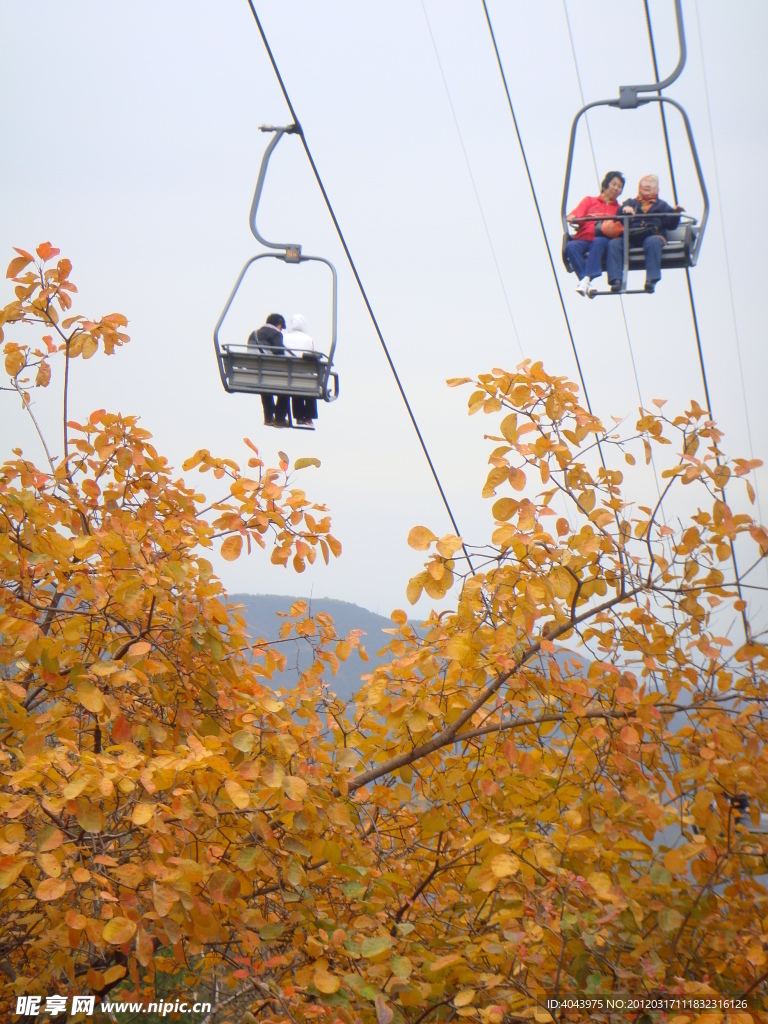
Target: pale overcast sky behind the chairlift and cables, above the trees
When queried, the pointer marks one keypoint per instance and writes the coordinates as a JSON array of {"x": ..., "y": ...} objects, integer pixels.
[{"x": 132, "y": 143}]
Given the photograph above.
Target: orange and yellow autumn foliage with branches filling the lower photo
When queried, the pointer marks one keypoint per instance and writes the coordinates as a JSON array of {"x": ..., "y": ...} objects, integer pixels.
[{"x": 552, "y": 791}]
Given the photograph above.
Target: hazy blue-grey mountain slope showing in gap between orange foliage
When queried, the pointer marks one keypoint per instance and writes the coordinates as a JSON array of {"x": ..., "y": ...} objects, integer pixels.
[{"x": 261, "y": 612}]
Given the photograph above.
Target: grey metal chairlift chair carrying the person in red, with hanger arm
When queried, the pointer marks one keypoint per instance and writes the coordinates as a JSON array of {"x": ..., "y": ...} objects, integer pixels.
[{"x": 685, "y": 242}]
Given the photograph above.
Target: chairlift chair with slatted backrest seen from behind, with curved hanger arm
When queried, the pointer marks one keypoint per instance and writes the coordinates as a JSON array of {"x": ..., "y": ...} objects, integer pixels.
[{"x": 249, "y": 369}]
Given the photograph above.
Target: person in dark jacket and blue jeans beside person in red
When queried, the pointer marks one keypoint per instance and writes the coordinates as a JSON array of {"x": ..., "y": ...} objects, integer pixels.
[{"x": 652, "y": 219}]
